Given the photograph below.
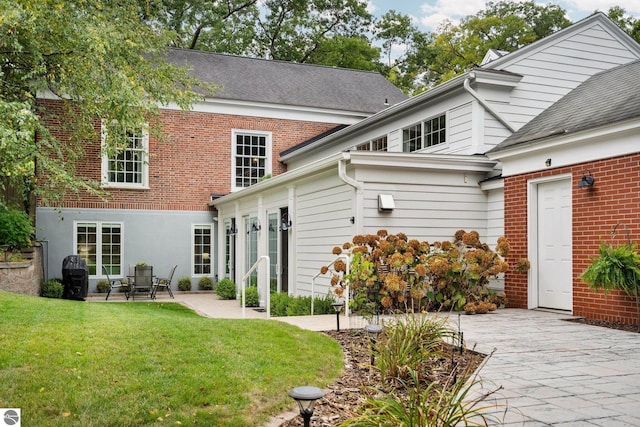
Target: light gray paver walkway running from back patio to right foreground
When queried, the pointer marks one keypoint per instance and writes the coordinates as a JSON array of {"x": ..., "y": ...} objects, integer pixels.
[{"x": 552, "y": 372}]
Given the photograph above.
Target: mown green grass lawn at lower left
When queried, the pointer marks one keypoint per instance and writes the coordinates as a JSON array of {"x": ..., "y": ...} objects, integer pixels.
[{"x": 78, "y": 363}]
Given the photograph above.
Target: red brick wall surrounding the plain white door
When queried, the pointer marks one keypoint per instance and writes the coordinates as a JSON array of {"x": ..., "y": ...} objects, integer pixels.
[{"x": 615, "y": 197}]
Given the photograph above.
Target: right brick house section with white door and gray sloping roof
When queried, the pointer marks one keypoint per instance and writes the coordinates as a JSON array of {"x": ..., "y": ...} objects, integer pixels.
[{"x": 571, "y": 181}]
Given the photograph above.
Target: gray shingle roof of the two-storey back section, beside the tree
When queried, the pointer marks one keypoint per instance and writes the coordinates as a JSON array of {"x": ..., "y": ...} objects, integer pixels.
[{"x": 288, "y": 83}]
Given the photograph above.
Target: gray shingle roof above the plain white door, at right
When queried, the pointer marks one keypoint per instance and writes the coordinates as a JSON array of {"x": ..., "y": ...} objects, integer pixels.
[{"x": 607, "y": 97}]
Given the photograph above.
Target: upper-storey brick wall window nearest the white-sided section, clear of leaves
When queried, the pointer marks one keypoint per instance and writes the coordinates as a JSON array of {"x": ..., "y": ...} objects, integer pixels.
[{"x": 251, "y": 157}]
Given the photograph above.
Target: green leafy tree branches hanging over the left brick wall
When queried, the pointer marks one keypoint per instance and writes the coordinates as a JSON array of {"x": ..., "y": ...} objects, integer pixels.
[{"x": 100, "y": 61}]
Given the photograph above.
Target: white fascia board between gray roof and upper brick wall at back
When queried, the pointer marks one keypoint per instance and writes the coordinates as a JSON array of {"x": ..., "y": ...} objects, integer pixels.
[{"x": 273, "y": 111}]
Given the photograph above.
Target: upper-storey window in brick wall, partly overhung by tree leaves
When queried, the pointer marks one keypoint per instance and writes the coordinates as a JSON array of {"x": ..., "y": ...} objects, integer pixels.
[{"x": 125, "y": 163}]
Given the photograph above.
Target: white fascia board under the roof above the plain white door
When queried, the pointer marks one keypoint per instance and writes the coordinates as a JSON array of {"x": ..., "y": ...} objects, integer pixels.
[{"x": 608, "y": 141}]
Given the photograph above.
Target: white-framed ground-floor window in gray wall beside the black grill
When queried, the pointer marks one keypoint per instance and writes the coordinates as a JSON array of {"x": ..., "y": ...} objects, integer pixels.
[{"x": 99, "y": 244}]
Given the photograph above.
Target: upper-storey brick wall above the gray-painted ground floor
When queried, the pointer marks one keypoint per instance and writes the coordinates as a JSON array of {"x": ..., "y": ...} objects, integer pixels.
[{"x": 193, "y": 160}]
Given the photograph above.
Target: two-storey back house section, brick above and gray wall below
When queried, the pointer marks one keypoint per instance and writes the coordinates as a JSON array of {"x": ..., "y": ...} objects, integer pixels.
[{"x": 158, "y": 211}]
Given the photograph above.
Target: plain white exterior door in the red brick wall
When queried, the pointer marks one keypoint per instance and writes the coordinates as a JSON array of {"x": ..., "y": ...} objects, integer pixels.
[{"x": 554, "y": 245}]
